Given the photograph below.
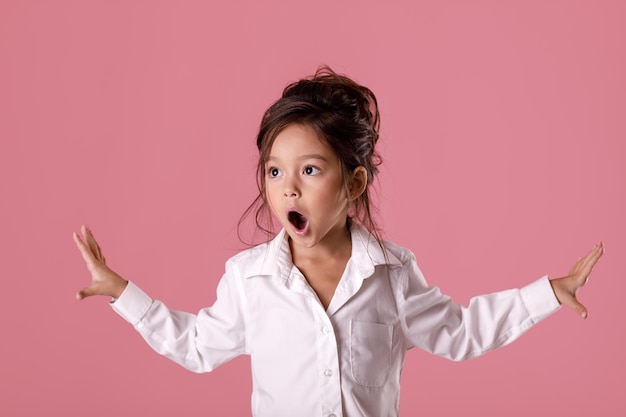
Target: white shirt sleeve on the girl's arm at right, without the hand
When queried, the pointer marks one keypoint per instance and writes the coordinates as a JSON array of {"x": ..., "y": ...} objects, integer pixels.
[{"x": 433, "y": 322}]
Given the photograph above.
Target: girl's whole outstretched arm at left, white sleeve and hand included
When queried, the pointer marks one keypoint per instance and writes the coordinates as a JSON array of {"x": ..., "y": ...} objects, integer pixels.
[{"x": 199, "y": 342}]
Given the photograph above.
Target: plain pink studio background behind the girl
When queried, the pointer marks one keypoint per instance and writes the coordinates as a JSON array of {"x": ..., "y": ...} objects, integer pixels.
[{"x": 505, "y": 159}]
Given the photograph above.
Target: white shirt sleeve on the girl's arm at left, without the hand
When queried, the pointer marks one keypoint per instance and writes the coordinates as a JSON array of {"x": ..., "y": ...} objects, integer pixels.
[{"x": 199, "y": 342}]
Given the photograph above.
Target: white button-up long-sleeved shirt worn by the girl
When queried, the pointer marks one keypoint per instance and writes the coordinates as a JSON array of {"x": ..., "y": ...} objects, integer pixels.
[{"x": 342, "y": 361}]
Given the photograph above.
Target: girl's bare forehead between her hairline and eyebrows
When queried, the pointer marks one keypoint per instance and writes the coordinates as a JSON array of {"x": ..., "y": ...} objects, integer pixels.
[{"x": 298, "y": 141}]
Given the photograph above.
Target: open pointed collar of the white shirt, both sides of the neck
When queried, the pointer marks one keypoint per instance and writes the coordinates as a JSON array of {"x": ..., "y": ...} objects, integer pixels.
[{"x": 274, "y": 257}]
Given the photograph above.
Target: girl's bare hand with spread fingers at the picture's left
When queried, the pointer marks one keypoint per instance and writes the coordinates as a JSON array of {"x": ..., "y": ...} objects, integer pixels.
[{"x": 103, "y": 280}]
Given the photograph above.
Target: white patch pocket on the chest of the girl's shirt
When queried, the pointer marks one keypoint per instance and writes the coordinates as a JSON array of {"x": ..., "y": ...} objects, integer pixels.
[{"x": 370, "y": 352}]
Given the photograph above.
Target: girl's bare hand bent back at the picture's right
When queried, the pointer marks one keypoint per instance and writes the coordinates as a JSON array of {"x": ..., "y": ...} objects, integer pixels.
[{"x": 566, "y": 288}]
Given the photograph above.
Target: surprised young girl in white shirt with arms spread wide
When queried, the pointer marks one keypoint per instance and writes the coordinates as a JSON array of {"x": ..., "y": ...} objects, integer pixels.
[{"x": 326, "y": 309}]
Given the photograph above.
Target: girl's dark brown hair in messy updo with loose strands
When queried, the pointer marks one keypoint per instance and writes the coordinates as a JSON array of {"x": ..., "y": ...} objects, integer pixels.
[{"x": 342, "y": 113}]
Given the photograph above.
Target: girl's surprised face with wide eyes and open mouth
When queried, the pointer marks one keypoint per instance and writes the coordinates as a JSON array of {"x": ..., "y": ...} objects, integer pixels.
[{"x": 305, "y": 188}]
